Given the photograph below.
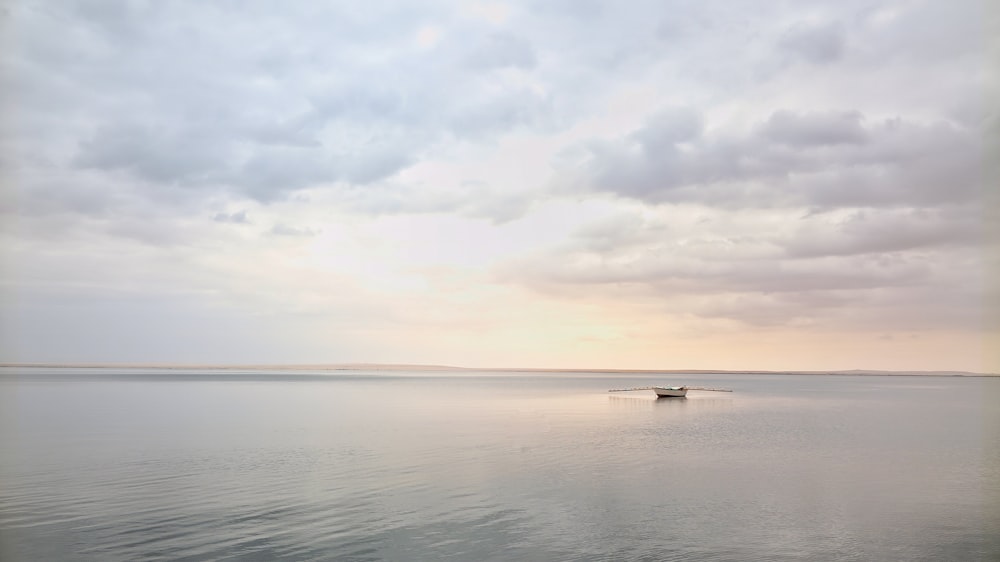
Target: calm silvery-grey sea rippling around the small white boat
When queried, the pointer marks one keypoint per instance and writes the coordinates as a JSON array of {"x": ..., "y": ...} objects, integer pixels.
[{"x": 127, "y": 464}]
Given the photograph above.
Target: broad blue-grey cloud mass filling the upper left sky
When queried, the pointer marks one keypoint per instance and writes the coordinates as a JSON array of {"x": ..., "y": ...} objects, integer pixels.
[{"x": 179, "y": 101}]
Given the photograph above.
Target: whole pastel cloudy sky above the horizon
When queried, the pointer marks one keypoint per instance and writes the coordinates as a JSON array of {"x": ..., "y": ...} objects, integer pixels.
[{"x": 554, "y": 184}]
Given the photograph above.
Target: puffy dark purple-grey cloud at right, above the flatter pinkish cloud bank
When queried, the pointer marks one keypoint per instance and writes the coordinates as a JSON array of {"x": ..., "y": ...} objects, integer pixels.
[{"x": 818, "y": 159}]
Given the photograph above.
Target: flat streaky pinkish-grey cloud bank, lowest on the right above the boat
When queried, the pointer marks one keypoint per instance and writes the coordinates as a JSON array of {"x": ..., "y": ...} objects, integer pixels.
[{"x": 761, "y": 271}]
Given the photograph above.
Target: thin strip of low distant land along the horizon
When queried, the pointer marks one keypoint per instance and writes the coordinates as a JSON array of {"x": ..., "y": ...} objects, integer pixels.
[{"x": 406, "y": 367}]
